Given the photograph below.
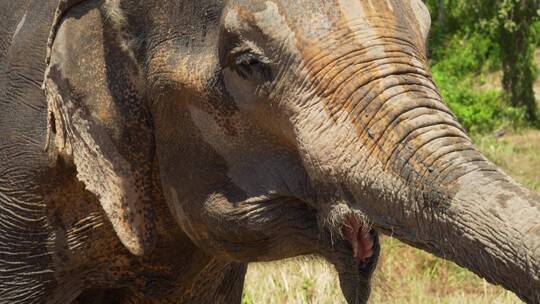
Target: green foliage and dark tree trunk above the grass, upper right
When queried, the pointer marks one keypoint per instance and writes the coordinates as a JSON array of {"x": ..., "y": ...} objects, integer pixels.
[{"x": 474, "y": 37}]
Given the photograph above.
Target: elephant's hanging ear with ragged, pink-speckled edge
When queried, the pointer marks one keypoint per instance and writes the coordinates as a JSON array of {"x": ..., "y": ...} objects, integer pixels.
[{"x": 98, "y": 118}]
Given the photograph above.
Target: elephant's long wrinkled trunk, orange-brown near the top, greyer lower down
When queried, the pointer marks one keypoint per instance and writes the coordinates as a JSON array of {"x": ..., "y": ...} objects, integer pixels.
[{"x": 395, "y": 154}]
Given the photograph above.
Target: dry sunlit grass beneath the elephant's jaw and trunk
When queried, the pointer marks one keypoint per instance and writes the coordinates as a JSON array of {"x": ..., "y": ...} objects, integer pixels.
[{"x": 405, "y": 275}]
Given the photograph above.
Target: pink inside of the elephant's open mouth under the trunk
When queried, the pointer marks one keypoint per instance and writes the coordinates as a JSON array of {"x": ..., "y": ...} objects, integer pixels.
[{"x": 359, "y": 238}]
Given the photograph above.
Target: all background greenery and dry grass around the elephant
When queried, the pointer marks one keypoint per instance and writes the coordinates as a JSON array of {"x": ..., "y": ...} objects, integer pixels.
[{"x": 482, "y": 57}]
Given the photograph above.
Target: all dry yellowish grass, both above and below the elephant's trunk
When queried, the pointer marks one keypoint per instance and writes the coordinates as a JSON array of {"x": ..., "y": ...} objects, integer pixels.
[{"x": 405, "y": 274}]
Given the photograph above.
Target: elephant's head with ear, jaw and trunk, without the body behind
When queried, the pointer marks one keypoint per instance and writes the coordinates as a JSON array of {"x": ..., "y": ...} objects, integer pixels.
[{"x": 281, "y": 128}]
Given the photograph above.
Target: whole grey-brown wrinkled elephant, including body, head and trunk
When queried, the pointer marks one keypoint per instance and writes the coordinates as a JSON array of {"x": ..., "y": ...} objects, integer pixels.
[{"x": 150, "y": 150}]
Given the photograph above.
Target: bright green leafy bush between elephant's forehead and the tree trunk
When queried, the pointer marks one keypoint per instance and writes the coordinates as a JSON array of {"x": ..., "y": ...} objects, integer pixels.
[{"x": 462, "y": 56}]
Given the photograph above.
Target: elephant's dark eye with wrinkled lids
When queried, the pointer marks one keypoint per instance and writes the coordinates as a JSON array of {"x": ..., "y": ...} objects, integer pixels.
[{"x": 252, "y": 65}]
